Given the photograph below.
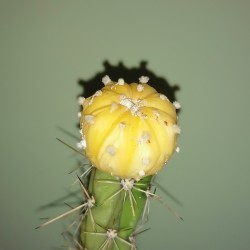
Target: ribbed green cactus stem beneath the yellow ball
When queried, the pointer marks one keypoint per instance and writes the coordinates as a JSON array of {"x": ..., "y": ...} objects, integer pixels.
[{"x": 115, "y": 209}]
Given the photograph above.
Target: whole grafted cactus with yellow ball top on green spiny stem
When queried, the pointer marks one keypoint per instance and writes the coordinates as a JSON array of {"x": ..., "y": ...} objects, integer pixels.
[{"x": 128, "y": 133}]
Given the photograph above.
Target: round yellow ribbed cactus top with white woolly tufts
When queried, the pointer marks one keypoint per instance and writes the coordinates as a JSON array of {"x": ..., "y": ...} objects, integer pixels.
[{"x": 128, "y": 130}]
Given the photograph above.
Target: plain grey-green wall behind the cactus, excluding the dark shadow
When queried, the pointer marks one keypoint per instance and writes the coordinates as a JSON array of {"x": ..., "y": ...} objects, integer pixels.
[{"x": 202, "y": 46}]
